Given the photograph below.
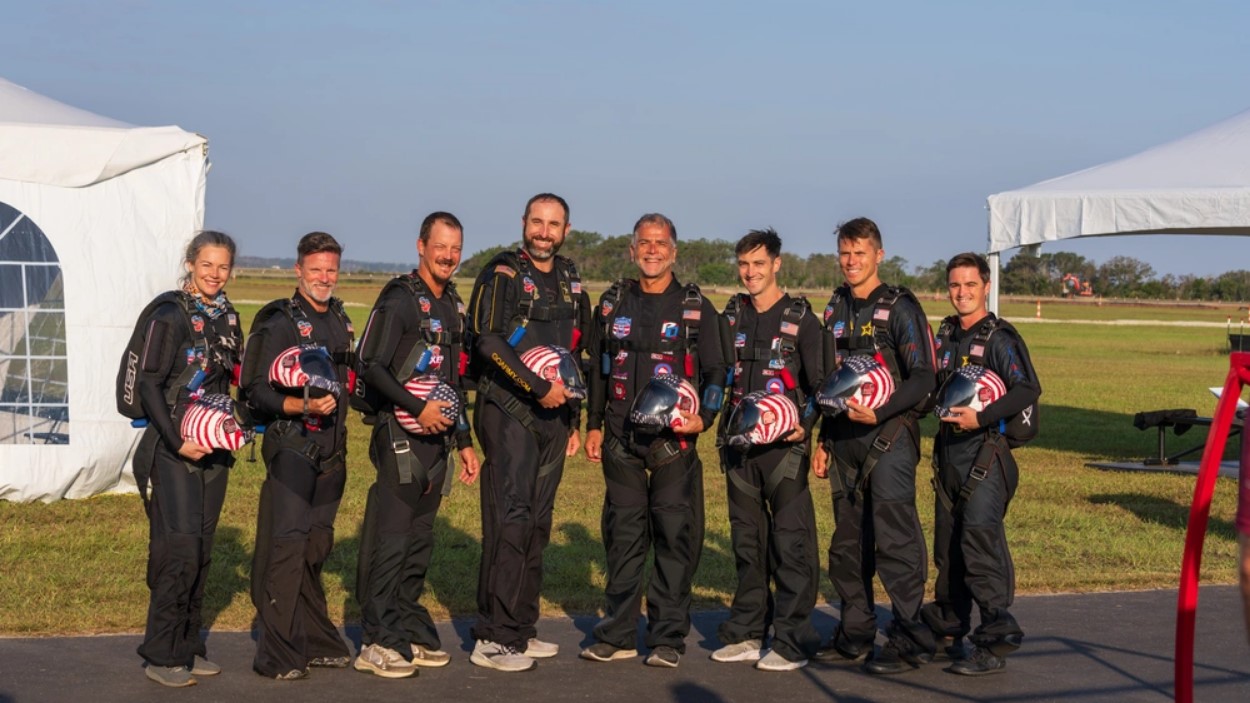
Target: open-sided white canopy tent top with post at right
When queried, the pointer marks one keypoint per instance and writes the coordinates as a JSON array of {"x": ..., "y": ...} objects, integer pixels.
[{"x": 1198, "y": 185}]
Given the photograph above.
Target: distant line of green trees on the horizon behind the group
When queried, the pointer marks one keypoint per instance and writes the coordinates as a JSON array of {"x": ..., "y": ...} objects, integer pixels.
[{"x": 712, "y": 262}]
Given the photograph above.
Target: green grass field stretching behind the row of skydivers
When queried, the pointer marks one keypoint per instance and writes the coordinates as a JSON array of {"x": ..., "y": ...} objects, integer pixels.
[{"x": 78, "y": 566}]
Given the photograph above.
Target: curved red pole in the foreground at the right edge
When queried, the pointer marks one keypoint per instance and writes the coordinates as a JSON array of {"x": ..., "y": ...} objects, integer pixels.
[{"x": 1199, "y": 513}]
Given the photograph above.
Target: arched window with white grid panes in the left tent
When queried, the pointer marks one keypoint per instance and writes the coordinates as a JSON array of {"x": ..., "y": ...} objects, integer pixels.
[{"x": 34, "y": 371}]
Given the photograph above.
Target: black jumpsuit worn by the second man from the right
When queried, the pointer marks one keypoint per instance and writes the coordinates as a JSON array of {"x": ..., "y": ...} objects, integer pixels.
[{"x": 878, "y": 530}]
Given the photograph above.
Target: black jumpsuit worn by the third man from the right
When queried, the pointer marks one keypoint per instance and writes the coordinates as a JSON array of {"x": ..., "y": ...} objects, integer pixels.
[{"x": 772, "y": 520}]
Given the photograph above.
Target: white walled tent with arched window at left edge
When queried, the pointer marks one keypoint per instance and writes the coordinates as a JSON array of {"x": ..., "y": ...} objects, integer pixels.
[{"x": 94, "y": 215}]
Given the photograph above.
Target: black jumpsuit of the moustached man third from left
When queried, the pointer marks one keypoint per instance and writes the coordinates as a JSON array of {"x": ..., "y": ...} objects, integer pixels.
[{"x": 398, "y": 539}]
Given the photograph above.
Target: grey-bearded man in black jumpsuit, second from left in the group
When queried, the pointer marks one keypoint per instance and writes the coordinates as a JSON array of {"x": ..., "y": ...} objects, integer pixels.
[{"x": 306, "y": 461}]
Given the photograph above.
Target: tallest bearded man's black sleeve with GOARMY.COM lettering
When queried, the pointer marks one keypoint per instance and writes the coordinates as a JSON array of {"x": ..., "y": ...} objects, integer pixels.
[{"x": 492, "y": 315}]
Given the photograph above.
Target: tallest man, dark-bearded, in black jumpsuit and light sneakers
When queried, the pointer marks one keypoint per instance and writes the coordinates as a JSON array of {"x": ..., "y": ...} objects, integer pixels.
[{"x": 522, "y": 300}]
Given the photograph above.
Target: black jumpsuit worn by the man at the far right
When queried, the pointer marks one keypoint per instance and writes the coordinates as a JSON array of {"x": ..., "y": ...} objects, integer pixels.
[{"x": 971, "y": 547}]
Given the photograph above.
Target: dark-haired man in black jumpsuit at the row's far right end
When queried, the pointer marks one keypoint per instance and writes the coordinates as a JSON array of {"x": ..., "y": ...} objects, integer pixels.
[{"x": 971, "y": 546}]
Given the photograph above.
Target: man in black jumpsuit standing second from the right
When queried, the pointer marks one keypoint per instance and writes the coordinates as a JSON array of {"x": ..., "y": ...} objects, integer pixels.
[{"x": 871, "y": 457}]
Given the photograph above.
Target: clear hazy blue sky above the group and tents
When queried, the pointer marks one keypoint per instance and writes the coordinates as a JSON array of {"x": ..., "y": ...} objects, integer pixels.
[{"x": 362, "y": 118}]
